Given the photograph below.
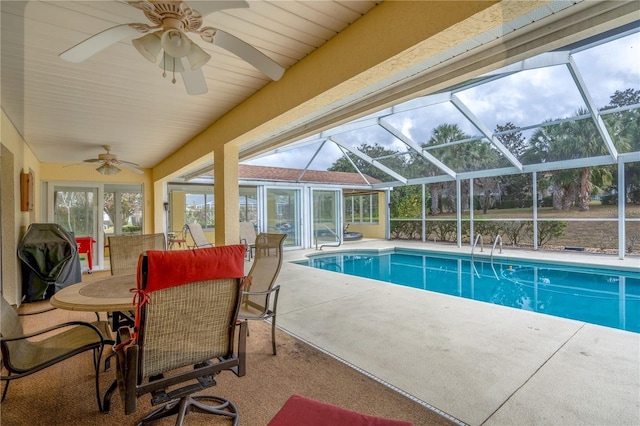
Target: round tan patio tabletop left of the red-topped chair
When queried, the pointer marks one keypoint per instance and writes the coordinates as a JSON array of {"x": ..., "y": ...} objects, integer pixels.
[{"x": 111, "y": 294}]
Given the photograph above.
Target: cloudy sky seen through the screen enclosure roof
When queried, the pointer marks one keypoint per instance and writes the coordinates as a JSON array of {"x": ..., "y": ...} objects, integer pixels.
[{"x": 526, "y": 98}]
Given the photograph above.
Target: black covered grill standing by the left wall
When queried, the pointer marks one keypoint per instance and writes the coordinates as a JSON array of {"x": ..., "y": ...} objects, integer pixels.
[{"x": 49, "y": 260}]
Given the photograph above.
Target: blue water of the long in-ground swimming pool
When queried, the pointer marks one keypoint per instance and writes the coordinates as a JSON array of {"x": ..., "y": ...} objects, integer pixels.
[{"x": 599, "y": 296}]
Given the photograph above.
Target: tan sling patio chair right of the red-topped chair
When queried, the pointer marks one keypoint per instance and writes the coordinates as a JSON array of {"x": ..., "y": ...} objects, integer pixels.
[{"x": 256, "y": 299}]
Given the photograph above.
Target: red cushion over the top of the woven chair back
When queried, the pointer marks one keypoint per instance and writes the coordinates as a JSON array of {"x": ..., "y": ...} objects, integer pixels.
[{"x": 174, "y": 268}]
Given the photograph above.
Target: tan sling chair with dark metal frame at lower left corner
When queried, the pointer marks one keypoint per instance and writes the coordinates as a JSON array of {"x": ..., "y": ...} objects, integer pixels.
[{"x": 22, "y": 355}]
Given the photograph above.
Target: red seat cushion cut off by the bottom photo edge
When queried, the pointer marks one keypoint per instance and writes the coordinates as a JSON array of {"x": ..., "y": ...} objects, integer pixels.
[{"x": 301, "y": 411}]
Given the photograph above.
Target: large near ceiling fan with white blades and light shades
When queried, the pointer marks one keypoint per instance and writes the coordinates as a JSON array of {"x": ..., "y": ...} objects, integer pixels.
[{"x": 171, "y": 21}]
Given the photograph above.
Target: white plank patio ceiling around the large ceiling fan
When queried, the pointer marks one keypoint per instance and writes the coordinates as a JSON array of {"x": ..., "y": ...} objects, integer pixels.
[{"x": 67, "y": 111}]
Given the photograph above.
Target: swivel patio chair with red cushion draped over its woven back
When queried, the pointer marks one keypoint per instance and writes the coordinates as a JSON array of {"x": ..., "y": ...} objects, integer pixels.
[{"x": 186, "y": 319}]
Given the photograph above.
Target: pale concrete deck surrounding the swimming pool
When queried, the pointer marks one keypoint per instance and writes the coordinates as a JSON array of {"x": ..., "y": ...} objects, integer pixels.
[{"x": 480, "y": 363}]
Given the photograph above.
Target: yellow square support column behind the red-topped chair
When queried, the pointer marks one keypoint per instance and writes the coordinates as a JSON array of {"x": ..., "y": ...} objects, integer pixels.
[{"x": 226, "y": 194}]
